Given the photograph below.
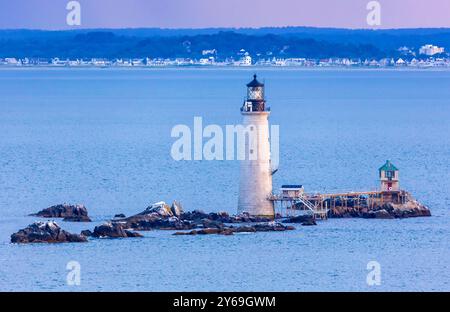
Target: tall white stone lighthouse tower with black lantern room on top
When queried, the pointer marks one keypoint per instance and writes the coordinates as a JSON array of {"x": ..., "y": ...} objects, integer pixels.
[{"x": 255, "y": 183}]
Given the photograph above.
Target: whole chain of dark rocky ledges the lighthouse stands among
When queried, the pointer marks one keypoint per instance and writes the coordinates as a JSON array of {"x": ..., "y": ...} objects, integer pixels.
[{"x": 161, "y": 216}]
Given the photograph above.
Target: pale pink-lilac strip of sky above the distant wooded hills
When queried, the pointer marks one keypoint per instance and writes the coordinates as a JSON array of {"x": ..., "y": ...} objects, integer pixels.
[{"x": 51, "y": 14}]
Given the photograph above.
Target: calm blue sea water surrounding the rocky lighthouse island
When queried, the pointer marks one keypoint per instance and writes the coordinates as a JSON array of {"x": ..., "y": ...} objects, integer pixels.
[{"x": 102, "y": 138}]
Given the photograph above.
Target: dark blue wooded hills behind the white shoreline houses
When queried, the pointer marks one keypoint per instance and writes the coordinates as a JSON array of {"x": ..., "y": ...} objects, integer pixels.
[{"x": 289, "y": 42}]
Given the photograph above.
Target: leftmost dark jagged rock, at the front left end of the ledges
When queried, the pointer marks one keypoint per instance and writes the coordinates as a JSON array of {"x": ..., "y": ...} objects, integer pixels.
[{"x": 45, "y": 232}]
